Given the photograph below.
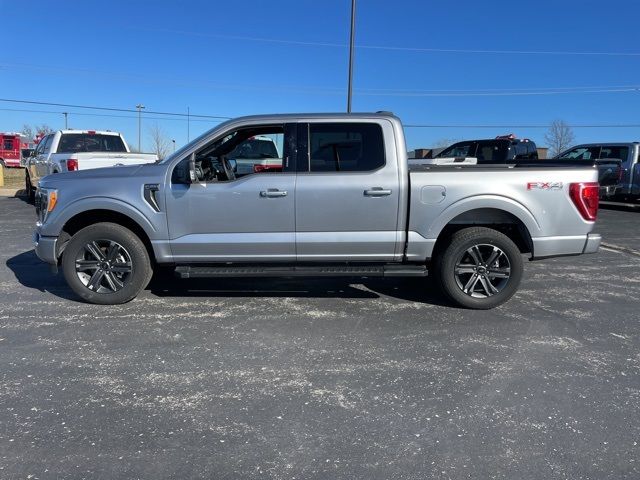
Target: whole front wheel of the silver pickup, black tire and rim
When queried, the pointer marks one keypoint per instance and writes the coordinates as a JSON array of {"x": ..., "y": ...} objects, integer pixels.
[{"x": 118, "y": 279}]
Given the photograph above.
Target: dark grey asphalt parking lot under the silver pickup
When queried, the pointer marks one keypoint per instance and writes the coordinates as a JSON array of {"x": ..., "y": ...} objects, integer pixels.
[{"x": 322, "y": 378}]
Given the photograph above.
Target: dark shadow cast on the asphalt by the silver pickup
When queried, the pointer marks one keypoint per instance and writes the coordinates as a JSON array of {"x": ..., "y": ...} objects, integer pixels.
[{"x": 32, "y": 273}]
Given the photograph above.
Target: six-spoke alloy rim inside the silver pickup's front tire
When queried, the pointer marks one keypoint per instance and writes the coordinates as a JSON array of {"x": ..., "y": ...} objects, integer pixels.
[{"x": 103, "y": 266}]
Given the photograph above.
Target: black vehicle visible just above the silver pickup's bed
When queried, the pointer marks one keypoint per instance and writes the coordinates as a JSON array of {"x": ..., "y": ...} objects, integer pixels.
[{"x": 502, "y": 149}]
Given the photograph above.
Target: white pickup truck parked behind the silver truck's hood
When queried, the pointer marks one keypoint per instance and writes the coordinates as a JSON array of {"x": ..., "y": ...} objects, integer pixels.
[{"x": 69, "y": 150}]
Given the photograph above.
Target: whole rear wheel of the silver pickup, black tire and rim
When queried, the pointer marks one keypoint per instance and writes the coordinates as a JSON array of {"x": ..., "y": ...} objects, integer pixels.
[{"x": 468, "y": 260}]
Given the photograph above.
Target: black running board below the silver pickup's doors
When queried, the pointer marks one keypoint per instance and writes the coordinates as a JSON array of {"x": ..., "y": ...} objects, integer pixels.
[{"x": 303, "y": 271}]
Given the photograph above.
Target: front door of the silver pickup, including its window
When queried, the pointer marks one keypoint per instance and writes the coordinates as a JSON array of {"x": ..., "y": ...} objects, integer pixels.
[{"x": 247, "y": 218}]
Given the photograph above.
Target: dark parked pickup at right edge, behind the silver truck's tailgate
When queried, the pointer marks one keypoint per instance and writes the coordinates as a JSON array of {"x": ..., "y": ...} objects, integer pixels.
[{"x": 618, "y": 165}]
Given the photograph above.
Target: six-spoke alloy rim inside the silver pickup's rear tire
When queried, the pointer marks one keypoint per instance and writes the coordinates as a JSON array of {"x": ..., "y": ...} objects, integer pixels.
[{"x": 482, "y": 271}]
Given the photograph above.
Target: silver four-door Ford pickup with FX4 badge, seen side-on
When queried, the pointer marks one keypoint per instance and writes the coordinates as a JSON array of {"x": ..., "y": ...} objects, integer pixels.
[{"x": 343, "y": 202}]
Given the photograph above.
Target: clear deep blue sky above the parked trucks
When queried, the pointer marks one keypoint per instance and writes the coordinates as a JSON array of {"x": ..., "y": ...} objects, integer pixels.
[{"x": 430, "y": 62}]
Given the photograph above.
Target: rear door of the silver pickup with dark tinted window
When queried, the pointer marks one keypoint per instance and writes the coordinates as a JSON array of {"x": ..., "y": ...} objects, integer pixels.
[{"x": 347, "y": 192}]
